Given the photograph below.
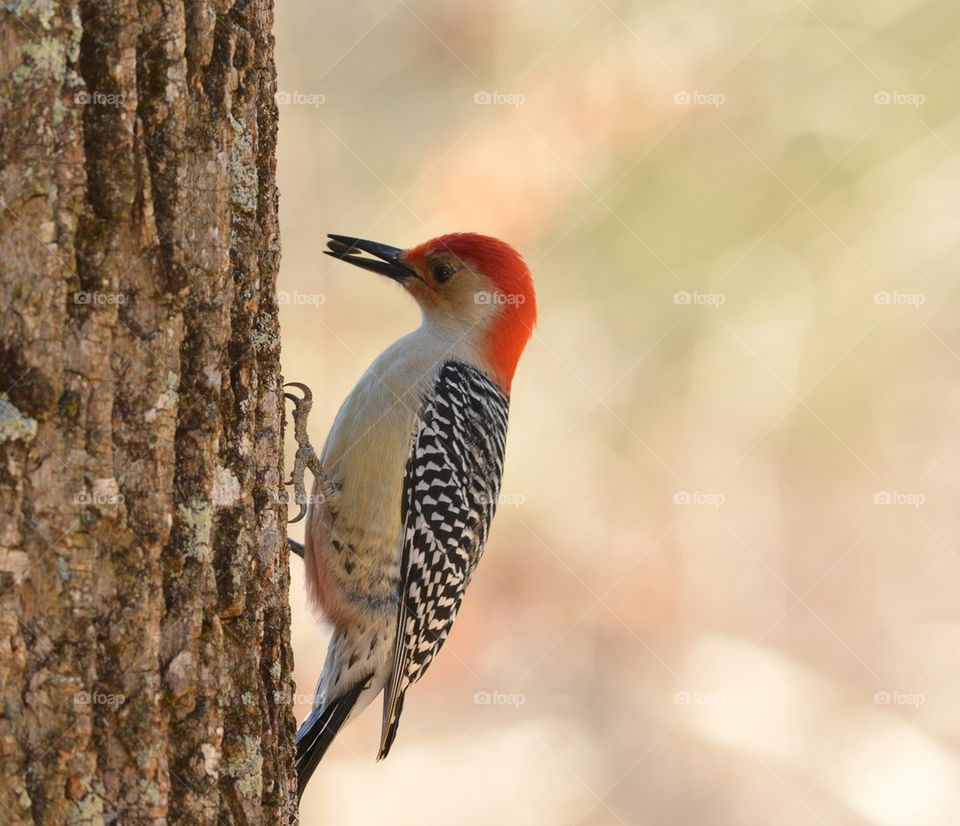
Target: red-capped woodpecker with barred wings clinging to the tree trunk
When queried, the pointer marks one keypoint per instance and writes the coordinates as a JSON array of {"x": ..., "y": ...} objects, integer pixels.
[{"x": 407, "y": 483}]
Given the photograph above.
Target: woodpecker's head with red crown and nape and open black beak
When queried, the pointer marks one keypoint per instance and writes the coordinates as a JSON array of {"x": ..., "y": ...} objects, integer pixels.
[{"x": 470, "y": 287}]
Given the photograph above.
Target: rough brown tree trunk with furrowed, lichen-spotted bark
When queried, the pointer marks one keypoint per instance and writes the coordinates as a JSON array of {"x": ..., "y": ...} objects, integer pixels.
[{"x": 144, "y": 655}]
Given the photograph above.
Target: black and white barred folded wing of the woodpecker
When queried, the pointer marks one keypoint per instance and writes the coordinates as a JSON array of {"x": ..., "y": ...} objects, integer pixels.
[{"x": 451, "y": 486}]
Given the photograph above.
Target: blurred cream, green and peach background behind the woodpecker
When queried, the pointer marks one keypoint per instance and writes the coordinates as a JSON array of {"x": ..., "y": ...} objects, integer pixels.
[{"x": 722, "y": 585}]
